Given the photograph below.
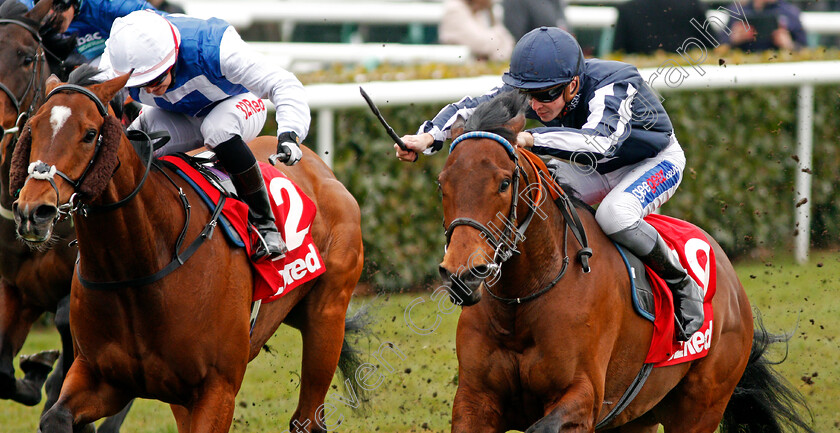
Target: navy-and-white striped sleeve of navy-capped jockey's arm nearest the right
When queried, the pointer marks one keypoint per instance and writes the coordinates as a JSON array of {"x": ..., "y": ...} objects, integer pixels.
[{"x": 606, "y": 127}]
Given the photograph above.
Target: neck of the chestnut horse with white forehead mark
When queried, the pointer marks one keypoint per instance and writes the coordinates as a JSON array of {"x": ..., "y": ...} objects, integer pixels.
[{"x": 125, "y": 242}]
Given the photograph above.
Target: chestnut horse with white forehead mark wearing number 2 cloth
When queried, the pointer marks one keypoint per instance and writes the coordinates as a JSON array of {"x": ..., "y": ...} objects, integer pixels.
[{"x": 184, "y": 338}]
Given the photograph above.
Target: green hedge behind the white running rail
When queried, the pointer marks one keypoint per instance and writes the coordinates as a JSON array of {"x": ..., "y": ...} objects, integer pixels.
[{"x": 739, "y": 182}]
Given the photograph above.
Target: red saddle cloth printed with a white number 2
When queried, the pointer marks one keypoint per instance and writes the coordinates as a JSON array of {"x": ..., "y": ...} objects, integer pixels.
[{"x": 293, "y": 213}]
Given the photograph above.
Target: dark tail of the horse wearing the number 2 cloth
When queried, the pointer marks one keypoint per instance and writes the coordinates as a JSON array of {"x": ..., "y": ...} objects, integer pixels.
[{"x": 350, "y": 360}]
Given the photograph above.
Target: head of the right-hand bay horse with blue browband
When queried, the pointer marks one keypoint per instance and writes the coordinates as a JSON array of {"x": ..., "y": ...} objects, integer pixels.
[{"x": 480, "y": 187}]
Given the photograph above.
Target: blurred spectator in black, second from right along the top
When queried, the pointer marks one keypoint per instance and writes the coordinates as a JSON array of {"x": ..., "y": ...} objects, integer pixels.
[{"x": 645, "y": 26}]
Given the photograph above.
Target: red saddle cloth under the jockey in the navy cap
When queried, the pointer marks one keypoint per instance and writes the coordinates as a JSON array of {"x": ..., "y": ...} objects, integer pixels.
[{"x": 697, "y": 256}]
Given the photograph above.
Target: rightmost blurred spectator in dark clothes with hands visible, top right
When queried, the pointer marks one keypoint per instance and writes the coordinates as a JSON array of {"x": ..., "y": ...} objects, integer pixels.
[{"x": 773, "y": 24}]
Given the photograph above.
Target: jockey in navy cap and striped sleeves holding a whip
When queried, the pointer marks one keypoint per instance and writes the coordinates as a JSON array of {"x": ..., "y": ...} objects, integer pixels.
[{"x": 603, "y": 118}]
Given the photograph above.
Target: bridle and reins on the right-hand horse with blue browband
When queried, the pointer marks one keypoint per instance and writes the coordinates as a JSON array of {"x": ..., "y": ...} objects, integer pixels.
[{"x": 506, "y": 245}]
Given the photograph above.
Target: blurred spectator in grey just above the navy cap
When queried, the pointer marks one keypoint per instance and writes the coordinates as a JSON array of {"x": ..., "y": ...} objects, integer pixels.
[{"x": 522, "y": 16}]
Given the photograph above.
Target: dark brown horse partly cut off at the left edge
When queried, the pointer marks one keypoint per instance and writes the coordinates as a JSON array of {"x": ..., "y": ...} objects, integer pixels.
[{"x": 31, "y": 282}]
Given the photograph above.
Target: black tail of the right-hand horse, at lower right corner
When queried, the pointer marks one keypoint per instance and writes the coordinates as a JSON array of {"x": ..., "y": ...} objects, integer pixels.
[{"x": 764, "y": 401}]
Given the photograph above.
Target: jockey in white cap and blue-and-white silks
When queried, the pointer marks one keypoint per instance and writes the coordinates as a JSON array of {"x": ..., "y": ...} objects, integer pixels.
[{"x": 204, "y": 85}]
